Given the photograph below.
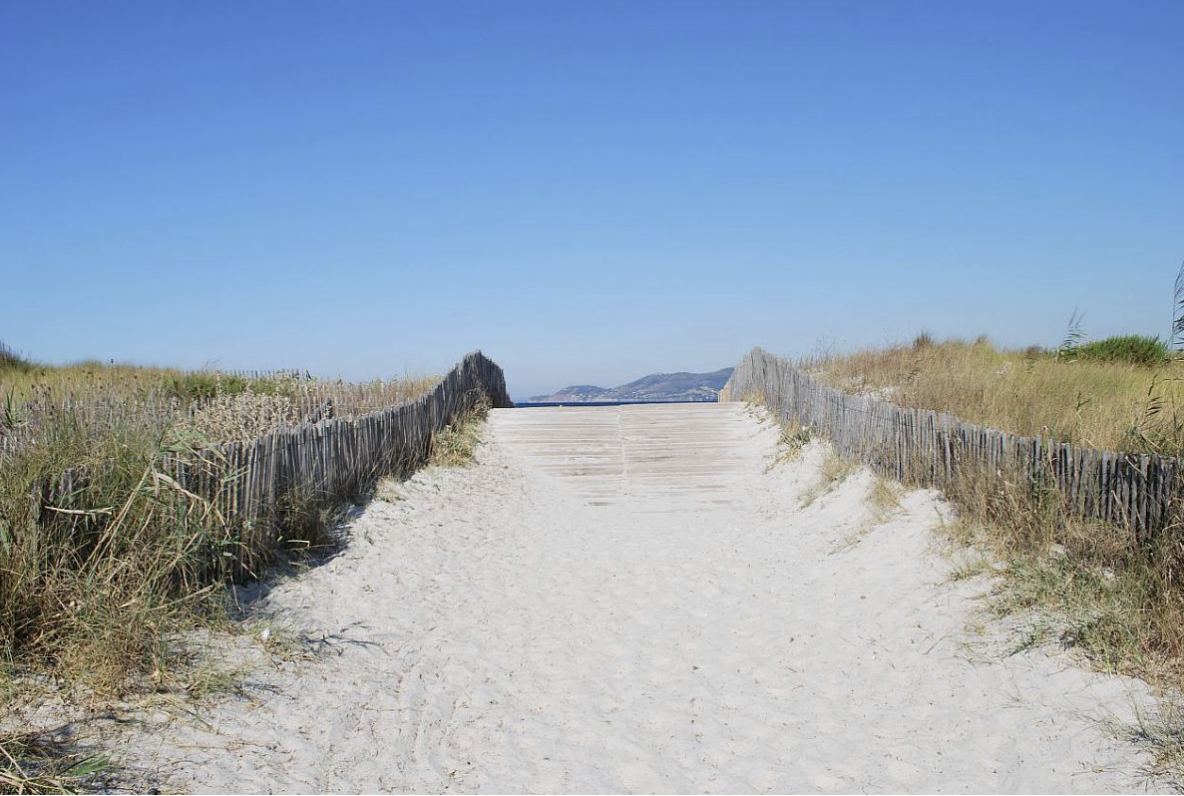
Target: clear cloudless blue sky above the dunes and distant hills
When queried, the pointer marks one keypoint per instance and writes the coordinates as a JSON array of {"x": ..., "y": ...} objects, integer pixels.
[{"x": 589, "y": 192}]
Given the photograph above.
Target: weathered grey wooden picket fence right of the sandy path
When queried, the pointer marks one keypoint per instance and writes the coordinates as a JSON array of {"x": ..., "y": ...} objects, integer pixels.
[{"x": 1140, "y": 492}]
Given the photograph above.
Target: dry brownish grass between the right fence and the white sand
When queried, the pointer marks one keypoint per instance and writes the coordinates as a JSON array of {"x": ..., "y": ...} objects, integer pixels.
[{"x": 1108, "y": 594}]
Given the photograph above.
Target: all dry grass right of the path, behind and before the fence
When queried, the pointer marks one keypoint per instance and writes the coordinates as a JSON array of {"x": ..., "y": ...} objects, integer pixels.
[{"x": 1098, "y": 588}]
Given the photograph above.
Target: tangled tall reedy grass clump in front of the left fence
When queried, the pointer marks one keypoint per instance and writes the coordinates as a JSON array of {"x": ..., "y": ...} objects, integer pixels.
[{"x": 92, "y": 589}]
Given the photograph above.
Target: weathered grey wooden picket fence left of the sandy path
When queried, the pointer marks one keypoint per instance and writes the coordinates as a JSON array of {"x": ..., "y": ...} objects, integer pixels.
[{"x": 331, "y": 459}]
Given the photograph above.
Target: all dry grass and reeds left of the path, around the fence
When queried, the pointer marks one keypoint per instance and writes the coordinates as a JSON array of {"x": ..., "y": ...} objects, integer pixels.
[{"x": 94, "y": 588}]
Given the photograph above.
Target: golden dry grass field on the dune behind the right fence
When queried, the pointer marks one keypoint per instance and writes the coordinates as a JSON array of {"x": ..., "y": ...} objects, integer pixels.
[{"x": 1069, "y": 395}]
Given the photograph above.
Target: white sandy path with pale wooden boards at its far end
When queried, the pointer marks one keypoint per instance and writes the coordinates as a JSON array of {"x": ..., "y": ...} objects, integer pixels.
[{"x": 627, "y": 600}]
